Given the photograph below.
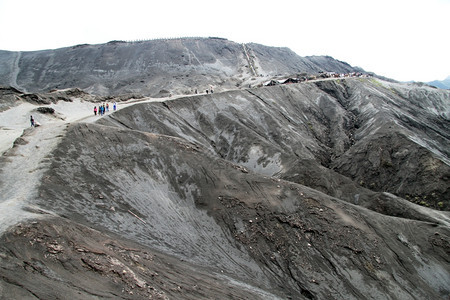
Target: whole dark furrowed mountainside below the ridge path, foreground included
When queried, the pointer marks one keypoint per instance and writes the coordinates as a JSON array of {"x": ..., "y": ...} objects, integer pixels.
[{"x": 296, "y": 191}]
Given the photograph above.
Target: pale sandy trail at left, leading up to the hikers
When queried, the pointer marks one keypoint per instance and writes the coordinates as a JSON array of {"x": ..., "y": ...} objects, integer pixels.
[{"x": 23, "y": 165}]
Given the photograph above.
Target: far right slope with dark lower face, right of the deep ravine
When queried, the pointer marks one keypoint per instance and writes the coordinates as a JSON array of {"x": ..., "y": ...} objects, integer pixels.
[{"x": 401, "y": 141}]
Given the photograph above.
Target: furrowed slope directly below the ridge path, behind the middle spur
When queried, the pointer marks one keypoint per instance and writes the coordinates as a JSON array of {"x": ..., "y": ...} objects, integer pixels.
[{"x": 382, "y": 136}]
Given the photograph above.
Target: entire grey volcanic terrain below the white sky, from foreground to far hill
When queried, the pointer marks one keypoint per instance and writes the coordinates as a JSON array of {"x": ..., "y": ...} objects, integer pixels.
[{"x": 318, "y": 186}]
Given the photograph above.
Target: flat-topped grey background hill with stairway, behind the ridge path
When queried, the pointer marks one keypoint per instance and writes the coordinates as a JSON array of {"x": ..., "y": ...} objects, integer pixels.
[{"x": 175, "y": 66}]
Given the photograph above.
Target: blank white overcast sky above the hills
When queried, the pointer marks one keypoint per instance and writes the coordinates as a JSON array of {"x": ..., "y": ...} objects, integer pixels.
[{"x": 401, "y": 39}]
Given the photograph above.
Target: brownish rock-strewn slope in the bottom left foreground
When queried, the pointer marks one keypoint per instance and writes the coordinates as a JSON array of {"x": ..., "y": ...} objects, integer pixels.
[{"x": 60, "y": 259}]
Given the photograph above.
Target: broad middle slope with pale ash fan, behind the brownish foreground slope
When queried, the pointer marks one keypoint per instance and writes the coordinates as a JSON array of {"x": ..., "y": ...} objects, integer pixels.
[{"x": 172, "y": 195}]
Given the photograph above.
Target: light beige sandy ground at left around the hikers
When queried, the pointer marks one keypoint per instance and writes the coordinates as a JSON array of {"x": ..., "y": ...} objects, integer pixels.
[{"x": 23, "y": 165}]
